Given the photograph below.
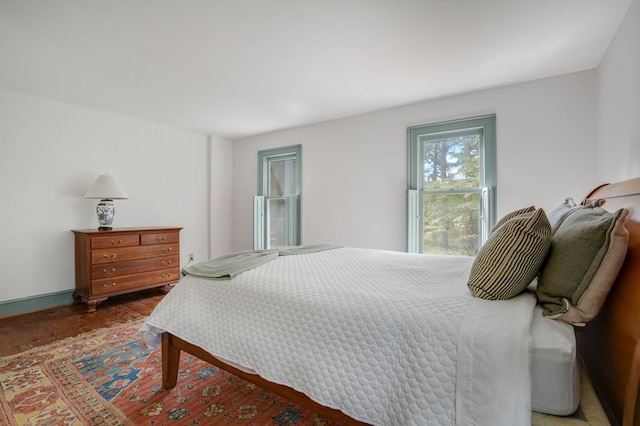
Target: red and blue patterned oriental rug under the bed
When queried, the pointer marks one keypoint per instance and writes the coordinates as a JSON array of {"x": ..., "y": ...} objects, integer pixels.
[{"x": 109, "y": 377}]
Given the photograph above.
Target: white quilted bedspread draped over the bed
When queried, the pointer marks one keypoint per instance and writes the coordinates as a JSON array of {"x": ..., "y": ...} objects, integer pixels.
[{"x": 372, "y": 333}]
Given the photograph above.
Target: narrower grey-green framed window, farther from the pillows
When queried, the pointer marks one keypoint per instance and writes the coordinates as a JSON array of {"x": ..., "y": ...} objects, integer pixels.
[{"x": 276, "y": 213}]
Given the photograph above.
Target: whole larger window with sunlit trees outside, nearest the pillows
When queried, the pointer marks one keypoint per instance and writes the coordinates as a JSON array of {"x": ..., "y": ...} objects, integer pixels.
[{"x": 451, "y": 186}]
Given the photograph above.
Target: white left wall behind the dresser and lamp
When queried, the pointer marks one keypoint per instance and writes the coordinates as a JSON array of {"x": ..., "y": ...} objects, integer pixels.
[{"x": 50, "y": 153}]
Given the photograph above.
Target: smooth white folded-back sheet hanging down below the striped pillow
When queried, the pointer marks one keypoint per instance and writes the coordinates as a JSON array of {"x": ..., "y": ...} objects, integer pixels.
[{"x": 494, "y": 384}]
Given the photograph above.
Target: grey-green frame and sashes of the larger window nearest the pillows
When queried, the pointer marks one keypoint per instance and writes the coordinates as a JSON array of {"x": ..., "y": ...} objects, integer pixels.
[{"x": 417, "y": 136}]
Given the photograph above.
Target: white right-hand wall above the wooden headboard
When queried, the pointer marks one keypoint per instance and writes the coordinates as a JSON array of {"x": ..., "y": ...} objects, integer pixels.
[{"x": 618, "y": 94}]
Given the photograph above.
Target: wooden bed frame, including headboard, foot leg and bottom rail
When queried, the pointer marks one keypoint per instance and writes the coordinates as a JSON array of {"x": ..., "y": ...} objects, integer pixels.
[{"x": 609, "y": 346}]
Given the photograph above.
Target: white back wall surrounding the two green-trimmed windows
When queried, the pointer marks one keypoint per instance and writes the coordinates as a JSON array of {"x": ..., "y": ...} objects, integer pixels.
[{"x": 354, "y": 169}]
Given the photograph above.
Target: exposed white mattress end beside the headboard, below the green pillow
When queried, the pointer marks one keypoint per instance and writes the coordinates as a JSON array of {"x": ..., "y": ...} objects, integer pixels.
[{"x": 554, "y": 366}]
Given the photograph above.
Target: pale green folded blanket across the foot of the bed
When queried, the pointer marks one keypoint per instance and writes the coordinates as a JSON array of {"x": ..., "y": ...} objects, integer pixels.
[{"x": 231, "y": 265}]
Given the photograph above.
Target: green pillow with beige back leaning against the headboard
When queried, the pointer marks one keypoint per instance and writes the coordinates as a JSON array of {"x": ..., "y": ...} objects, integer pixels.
[{"x": 586, "y": 254}]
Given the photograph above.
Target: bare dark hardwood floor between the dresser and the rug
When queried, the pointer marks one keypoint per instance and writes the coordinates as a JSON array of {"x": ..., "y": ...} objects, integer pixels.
[{"x": 22, "y": 332}]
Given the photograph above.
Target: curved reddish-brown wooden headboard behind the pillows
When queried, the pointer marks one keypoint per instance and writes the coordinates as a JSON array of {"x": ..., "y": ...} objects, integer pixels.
[{"x": 609, "y": 346}]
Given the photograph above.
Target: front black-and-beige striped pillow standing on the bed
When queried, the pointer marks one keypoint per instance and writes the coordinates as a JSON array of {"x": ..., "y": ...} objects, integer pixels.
[{"x": 510, "y": 259}]
